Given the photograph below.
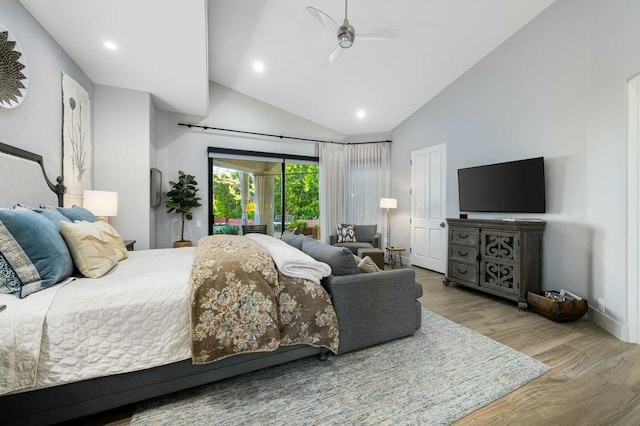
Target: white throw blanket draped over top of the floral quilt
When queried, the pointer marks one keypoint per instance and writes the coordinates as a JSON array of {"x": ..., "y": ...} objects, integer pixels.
[{"x": 291, "y": 261}]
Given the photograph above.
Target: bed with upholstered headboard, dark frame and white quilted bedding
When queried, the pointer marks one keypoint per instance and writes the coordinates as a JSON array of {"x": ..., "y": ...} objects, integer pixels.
[{"x": 128, "y": 317}]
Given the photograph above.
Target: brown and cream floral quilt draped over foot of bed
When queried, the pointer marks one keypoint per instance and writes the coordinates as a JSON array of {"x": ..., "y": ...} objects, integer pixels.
[{"x": 241, "y": 303}]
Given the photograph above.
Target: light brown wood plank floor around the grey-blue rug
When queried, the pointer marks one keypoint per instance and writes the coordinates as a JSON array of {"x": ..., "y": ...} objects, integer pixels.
[{"x": 594, "y": 380}]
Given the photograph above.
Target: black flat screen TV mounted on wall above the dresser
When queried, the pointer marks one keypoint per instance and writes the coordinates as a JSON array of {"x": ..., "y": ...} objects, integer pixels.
[{"x": 513, "y": 187}]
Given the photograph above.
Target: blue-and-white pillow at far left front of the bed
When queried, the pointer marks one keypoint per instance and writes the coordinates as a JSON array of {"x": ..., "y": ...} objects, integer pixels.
[{"x": 34, "y": 248}]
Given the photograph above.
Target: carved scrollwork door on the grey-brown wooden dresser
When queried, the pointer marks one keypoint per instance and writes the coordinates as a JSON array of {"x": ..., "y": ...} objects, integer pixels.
[{"x": 499, "y": 261}]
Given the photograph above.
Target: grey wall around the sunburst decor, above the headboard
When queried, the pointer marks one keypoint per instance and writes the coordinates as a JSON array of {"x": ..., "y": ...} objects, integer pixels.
[{"x": 36, "y": 124}]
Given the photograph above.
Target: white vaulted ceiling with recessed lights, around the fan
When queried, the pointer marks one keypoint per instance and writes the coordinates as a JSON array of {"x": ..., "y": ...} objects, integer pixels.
[{"x": 171, "y": 49}]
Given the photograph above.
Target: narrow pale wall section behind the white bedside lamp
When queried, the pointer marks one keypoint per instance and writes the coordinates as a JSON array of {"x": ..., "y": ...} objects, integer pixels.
[{"x": 122, "y": 152}]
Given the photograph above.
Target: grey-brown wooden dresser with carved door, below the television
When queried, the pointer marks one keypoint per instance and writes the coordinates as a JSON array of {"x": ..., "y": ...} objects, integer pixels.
[{"x": 503, "y": 258}]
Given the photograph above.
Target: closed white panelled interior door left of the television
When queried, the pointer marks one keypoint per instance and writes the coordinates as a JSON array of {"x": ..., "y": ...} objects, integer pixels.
[{"x": 428, "y": 208}]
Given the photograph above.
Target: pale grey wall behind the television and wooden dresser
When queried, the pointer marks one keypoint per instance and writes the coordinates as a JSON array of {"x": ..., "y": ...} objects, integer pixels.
[{"x": 555, "y": 89}]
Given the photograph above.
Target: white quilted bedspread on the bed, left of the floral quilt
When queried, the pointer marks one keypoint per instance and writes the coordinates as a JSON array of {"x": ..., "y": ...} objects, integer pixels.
[{"x": 133, "y": 318}]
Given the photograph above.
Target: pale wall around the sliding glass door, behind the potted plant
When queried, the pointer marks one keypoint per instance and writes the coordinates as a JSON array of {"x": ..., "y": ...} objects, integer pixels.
[{"x": 180, "y": 148}]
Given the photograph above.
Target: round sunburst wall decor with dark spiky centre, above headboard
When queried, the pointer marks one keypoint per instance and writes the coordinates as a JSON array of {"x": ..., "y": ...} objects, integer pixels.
[{"x": 13, "y": 71}]
